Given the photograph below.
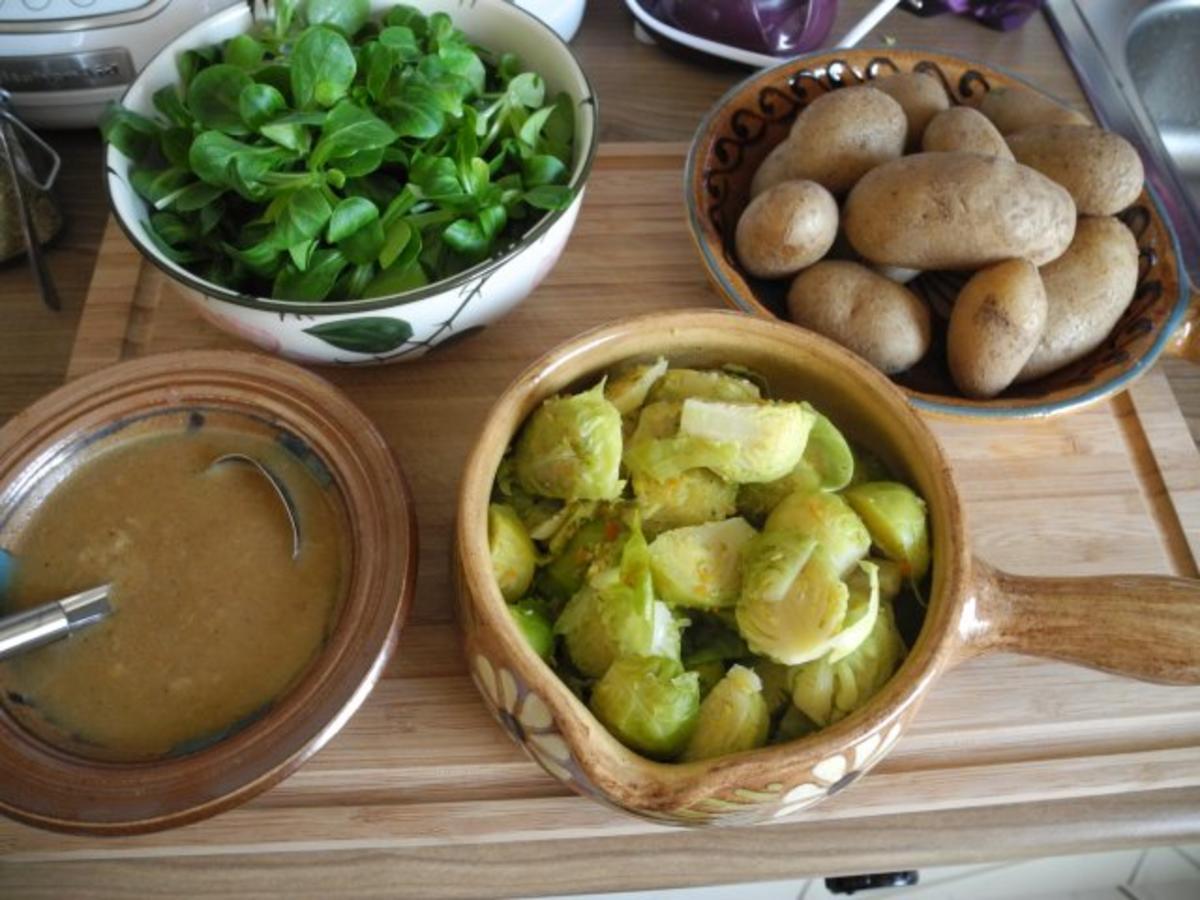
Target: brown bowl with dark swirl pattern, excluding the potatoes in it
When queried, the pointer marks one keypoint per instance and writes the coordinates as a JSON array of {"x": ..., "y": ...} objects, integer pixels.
[{"x": 757, "y": 116}]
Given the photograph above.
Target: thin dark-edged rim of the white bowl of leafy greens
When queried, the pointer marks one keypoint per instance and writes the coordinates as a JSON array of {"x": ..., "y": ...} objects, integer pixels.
[{"x": 337, "y": 308}]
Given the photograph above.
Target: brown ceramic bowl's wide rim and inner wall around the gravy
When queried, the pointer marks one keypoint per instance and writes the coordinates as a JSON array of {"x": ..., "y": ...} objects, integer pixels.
[{"x": 56, "y": 788}]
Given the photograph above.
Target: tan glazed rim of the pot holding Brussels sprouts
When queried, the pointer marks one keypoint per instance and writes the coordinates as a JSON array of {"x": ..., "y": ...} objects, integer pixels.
[{"x": 621, "y": 776}]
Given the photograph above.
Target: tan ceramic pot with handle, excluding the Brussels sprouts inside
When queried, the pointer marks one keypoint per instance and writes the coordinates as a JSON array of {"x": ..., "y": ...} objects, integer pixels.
[{"x": 1142, "y": 627}]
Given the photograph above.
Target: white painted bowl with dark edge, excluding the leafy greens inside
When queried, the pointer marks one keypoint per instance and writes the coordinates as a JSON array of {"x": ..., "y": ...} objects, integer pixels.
[{"x": 401, "y": 327}]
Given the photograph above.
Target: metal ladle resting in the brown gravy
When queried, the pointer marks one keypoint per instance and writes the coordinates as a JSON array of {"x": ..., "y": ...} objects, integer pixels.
[{"x": 51, "y": 622}]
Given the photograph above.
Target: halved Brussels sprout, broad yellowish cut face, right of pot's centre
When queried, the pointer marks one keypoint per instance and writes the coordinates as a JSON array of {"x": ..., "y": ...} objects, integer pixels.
[{"x": 793, "y": 602}]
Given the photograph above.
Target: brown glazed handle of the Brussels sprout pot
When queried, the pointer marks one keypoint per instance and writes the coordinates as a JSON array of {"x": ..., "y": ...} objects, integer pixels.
[{"x": 1145, "y": 627}]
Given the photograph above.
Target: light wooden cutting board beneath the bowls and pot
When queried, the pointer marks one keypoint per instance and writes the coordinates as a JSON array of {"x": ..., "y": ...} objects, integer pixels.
[{"x": 1115, "y": 489}]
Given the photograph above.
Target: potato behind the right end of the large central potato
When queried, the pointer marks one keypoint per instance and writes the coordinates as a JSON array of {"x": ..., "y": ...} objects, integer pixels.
[{"x": 1101, "y": 170}]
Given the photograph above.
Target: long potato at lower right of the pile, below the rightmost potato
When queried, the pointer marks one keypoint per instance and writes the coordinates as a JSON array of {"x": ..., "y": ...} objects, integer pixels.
[{"x": 1088, "y": 289}]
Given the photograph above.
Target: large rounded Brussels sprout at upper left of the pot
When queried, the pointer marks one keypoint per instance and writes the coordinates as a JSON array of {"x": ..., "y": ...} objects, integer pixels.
[{"x": 571, "y": 449}]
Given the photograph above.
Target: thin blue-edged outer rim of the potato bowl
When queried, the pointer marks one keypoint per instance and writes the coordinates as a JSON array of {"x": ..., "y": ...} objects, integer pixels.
[{"x": 949, "y": 406}]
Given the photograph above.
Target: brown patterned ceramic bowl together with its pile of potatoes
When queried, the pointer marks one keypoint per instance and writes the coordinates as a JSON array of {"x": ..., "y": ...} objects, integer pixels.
[{"x": 982, "y": 244}]
